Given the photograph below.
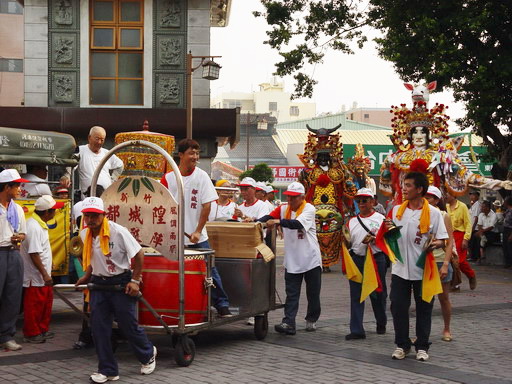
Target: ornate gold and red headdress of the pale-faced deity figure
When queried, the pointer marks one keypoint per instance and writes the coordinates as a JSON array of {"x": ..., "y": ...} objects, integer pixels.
[{"x": 405, "y": 119}]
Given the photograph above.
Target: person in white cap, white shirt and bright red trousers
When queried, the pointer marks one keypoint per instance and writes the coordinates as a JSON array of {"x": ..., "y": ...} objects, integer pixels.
[{"x": 37, "y": 269}]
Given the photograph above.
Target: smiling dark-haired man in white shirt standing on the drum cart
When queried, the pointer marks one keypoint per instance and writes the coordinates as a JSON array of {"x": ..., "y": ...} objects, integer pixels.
[{"x": 199, "y": 193}]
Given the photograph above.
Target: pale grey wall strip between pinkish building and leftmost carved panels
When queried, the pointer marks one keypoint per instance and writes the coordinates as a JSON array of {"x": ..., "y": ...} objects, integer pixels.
[{"x": 36, "y": 53}]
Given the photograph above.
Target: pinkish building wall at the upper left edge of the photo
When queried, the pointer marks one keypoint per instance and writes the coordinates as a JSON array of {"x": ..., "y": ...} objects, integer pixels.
[{"x": 11, "y": 47}]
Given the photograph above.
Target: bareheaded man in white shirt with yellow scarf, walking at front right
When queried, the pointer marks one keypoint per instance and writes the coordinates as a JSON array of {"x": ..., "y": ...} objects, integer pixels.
[{"x": 420, "y": 222}]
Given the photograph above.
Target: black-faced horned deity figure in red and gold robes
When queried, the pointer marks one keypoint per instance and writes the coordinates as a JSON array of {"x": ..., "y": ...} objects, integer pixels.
[{"x": 329, "y": 187}]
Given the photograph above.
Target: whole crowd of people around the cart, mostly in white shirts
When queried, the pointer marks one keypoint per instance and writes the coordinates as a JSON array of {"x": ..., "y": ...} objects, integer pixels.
[{"x": 429, "y": 222}]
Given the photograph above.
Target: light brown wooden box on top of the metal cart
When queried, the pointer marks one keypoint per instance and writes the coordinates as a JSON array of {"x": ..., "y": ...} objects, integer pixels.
[{"x": 237, "y": 240}]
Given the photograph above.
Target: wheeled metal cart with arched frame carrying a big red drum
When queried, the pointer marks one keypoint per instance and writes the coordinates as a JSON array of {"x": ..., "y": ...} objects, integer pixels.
[{"x": 249, "y": 283}]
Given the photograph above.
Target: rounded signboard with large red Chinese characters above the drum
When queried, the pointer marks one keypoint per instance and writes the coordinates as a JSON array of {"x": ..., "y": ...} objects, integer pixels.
[{"x": 148, "y": 210}]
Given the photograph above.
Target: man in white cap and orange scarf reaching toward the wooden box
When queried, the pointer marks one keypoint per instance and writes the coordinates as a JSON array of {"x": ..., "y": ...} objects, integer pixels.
[{"x": 302, "y": 259}]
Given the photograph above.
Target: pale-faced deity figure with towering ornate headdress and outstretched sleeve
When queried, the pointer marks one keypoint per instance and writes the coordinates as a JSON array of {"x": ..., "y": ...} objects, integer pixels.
[{"x": 421, "y": 138}]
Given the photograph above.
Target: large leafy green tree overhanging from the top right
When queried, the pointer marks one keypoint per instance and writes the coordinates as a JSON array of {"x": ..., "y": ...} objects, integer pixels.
[{"x": 465, "y": 45}]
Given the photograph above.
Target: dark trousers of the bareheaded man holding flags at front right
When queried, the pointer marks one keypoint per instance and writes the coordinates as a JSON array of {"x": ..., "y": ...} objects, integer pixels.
[{"x": 400, "y": 297}]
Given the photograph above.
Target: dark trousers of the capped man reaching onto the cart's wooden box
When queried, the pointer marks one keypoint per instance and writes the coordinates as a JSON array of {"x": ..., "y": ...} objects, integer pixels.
[{"x": 293, "y": 282}]
